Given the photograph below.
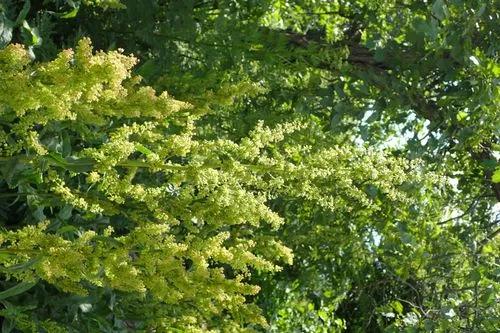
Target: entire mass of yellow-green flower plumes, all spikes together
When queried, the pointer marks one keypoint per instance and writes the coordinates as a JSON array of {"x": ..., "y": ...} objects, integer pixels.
[{"x": 189, "y": 210}]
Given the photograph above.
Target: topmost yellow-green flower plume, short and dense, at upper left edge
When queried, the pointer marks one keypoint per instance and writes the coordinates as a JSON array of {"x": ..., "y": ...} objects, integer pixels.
[{"x": 78, "y": 87}]
